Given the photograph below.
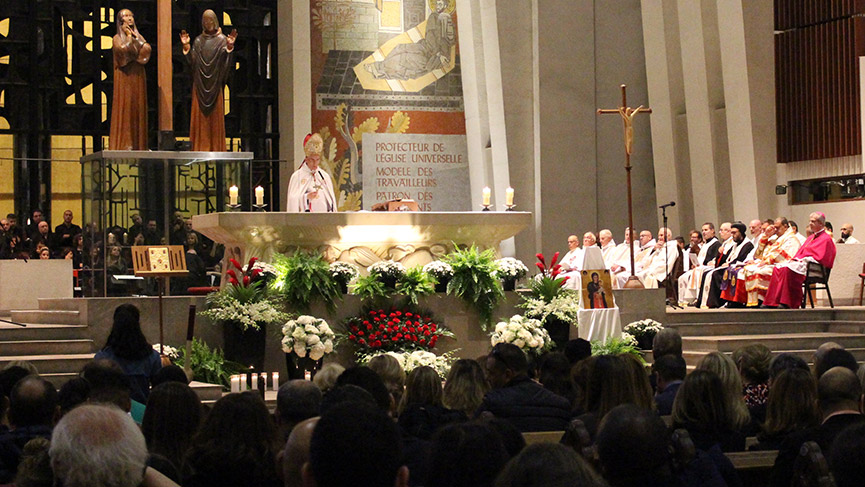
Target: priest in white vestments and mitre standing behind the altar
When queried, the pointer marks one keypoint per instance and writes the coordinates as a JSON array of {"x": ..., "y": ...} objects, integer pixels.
[{"x": 310, "y": 189}]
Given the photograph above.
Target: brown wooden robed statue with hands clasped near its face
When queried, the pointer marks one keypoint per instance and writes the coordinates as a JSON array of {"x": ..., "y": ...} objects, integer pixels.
[{"x": 129, "y": 101}]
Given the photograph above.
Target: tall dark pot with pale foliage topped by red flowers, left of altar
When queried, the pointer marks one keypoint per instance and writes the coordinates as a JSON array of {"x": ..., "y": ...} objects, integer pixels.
[{"x": 244, "y": 308}]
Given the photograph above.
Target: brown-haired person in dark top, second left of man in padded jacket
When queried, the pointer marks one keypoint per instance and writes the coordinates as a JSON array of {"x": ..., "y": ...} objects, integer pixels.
[{"x": 421, "y": 412}]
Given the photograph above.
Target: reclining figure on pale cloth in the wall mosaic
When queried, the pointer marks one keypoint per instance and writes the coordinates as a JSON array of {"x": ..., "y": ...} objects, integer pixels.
[{"x": 410, "y": 61}]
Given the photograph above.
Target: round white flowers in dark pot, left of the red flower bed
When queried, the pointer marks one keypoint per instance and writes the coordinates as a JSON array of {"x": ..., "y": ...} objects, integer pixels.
[{"x": 305, "y": 341}]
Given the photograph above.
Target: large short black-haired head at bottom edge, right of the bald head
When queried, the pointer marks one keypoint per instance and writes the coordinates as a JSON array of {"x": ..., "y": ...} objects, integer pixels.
[{"x": 355, "y": 444}]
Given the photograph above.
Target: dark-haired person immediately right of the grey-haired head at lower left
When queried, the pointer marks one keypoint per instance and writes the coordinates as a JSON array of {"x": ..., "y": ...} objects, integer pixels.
[{"x": 171, "y": 419}]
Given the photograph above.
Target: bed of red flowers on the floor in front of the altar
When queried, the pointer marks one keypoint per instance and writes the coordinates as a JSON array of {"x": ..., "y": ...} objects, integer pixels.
[{"x": 393, "y": 331}]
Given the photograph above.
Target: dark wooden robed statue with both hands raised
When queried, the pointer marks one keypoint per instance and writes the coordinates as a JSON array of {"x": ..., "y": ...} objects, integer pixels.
[{"x": 210, "y": 57}]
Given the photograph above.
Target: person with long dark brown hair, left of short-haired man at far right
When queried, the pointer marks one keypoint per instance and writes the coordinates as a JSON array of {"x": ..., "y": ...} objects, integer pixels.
[{"x": 791, "y": 408}]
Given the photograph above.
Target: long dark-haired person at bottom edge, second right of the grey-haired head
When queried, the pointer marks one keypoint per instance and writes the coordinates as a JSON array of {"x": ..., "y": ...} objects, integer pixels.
[{"x": 236, "y": 445}]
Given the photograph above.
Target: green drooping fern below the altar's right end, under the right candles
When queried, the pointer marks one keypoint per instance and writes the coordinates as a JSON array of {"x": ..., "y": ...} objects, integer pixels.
[{"x": 474, "y": 281}]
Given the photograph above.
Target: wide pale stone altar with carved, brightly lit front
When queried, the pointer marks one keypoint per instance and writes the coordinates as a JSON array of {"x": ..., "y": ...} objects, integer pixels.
[{"x": 362, "y": 238}]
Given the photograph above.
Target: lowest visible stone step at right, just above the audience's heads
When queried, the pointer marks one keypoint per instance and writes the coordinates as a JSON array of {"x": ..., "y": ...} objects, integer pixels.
[{"x": 776, "y": 342}]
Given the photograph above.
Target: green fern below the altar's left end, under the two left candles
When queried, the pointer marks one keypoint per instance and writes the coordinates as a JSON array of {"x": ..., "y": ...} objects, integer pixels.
[{"x": 304, "y": 277}]
